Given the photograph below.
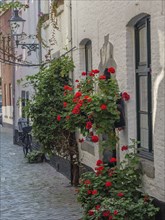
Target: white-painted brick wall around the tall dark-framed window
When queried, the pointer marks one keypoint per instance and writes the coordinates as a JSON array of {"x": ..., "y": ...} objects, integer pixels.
[{"x": 94, "y": 20}]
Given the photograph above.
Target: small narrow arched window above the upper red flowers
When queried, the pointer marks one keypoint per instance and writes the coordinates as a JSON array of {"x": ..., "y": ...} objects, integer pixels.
[{"x": 88, "y": 56}]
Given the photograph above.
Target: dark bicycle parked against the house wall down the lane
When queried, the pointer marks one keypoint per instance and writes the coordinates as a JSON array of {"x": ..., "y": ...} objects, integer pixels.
[{"x": 27, "y": 140}]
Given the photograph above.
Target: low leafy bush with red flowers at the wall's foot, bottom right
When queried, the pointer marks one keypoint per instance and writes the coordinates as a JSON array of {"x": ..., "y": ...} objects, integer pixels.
[{"x": 114, "y": 193}]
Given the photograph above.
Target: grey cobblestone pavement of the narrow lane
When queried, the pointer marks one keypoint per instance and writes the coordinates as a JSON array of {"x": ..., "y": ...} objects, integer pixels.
[{"x": 32, "y": 191}]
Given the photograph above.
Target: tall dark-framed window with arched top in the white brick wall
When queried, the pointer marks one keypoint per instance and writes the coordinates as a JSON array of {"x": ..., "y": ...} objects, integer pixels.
[{"x": 143, "y": 86}]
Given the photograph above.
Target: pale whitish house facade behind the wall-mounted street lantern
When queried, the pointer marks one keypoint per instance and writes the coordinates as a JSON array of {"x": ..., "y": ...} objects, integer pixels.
[{"x": 31, "y": 17}]
